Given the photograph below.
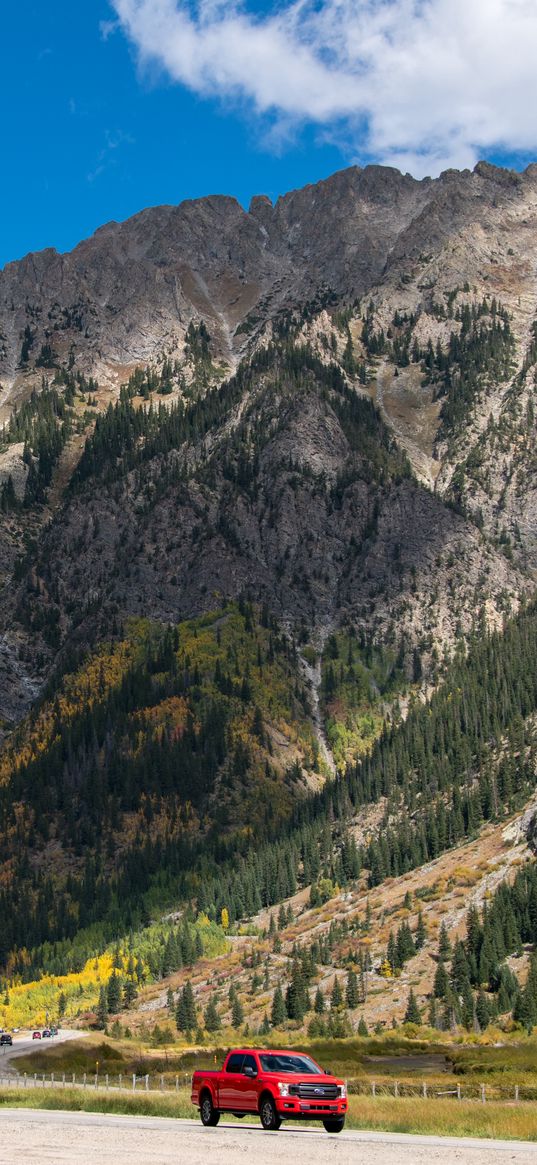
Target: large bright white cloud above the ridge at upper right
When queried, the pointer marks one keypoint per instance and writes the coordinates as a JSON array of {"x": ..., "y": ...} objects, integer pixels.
[{"x": 419, "y": 84}]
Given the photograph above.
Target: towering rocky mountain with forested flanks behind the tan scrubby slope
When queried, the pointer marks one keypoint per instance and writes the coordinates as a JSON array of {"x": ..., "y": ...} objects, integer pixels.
[{"x": 267, "y": 555}]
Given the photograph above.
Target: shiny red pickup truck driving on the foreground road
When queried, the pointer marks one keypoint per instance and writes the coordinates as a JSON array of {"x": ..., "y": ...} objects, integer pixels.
[{"x": 275, "y": 1085}]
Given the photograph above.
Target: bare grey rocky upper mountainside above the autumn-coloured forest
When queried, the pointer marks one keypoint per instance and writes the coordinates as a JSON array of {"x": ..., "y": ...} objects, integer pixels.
[{"x": 421, "y": 296}]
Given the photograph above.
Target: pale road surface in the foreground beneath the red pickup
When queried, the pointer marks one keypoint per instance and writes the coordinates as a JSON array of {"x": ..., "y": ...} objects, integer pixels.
[{"x": 30, "y": 1138}]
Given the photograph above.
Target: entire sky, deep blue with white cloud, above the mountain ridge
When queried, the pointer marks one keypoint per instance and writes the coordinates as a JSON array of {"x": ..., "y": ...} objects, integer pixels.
[{"x": 114, "y": 107}]
